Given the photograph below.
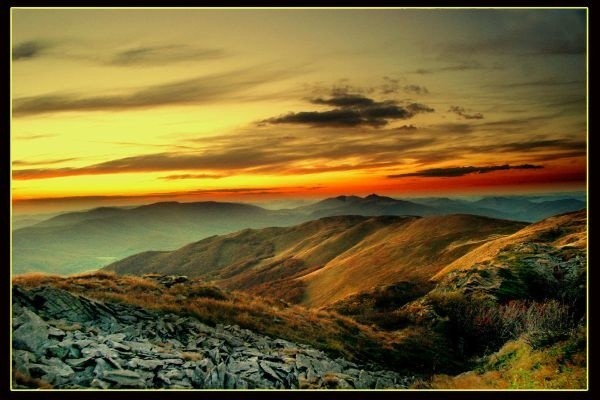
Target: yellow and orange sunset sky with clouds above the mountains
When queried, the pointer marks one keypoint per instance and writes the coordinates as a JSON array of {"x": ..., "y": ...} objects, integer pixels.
[{"x": 130, "y": 106}]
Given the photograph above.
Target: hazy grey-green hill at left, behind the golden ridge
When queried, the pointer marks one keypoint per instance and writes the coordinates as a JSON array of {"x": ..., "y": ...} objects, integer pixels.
[{"x": 76, "y": 242}]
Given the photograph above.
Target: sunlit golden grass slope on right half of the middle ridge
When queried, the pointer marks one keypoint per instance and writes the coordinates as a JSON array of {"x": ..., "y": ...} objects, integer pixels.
[{"x": 411, "y": 249}]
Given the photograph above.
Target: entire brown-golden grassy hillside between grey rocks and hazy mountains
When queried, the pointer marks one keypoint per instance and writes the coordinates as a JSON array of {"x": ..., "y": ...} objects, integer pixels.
[{"x": 512, "y": 314}]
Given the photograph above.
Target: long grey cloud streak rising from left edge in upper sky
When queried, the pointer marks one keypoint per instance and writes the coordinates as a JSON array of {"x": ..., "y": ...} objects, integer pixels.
[{"x": 189, "y": 91}]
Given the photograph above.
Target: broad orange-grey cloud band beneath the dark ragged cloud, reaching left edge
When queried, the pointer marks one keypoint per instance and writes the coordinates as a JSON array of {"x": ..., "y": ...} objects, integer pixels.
[{"x": 262, "y": 151}]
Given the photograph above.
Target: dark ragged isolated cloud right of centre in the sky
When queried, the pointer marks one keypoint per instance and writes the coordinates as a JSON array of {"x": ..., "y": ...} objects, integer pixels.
[{"x": 353, "y": 110}]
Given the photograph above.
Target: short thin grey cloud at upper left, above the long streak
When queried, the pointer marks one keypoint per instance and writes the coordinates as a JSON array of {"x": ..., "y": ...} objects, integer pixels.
[{"x": 163, "y": 55}]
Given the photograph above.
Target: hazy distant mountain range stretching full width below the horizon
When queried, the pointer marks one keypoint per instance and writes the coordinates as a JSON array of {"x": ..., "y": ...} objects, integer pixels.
[{"x": 81, "y": 241}]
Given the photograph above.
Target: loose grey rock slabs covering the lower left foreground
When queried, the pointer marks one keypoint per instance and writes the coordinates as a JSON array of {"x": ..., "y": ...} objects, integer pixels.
[{"x": 68, "y": 341}]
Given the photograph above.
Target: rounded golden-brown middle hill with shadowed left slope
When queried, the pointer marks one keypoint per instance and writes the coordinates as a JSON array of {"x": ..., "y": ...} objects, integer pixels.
[{"x": 322, "y": 261}]
